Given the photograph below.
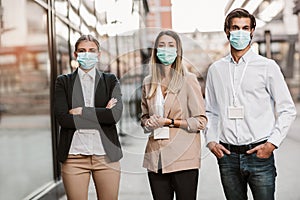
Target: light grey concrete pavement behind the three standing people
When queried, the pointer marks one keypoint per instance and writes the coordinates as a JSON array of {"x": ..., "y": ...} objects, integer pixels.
[{"x": 134, "y": 183}]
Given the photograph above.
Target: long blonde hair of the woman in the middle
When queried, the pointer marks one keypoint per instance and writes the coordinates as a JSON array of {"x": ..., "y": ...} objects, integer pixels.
[{"x": 178, "y": 71}]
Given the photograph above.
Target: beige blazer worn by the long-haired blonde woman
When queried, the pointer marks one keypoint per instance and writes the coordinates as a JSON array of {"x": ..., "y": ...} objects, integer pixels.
[{"x": 182, "y": 150}]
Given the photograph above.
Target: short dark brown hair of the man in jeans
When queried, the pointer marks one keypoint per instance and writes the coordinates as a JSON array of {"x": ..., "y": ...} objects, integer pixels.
[{"x": 239, "y": 13}]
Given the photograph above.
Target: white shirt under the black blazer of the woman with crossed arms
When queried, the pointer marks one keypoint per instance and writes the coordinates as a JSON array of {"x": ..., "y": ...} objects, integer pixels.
[{"x": 87, "y": 141}]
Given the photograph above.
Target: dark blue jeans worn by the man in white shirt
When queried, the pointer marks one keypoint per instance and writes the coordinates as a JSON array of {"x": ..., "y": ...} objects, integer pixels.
[{"x": 239, "y": 170}]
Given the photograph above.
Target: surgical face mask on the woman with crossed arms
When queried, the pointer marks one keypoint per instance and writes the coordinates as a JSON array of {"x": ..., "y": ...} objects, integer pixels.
[{"x": 87, "y": 60}]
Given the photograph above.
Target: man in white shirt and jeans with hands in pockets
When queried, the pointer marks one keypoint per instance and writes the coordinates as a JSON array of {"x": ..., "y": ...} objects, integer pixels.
[{"x": 249, "y": 110}]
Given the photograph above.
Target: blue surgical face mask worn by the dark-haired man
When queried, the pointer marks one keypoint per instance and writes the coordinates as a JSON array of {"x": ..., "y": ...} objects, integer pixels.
[{"x": 239, "y": 39}]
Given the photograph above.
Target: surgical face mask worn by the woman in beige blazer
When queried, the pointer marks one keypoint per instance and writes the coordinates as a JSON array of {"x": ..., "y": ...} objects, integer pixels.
[{"x": 166, "y": 55}]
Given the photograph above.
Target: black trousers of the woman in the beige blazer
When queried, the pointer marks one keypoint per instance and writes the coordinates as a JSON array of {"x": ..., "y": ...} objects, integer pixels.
[{"x": 182, "y": 183}]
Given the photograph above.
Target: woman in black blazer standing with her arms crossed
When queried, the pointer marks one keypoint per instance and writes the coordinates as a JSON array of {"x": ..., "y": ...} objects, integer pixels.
[{"x": 88, "y": 105}]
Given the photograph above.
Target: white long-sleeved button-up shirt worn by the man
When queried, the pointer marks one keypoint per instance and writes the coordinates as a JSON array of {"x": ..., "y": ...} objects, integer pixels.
[{"x": 262, "y": 92}]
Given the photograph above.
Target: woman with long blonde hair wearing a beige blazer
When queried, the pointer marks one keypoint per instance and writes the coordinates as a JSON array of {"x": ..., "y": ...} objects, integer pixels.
[{"x": 173, "y": 114}]
